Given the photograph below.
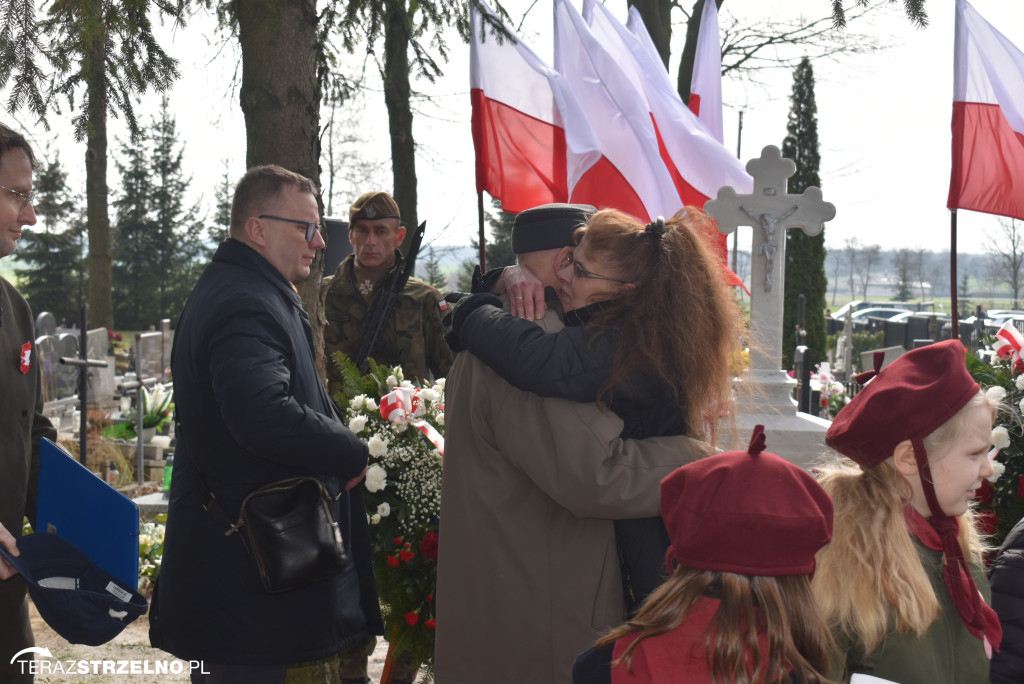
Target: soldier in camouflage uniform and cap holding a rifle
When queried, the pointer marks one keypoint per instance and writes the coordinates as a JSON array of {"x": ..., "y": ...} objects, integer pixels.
[{"x": 413, "y": 337}]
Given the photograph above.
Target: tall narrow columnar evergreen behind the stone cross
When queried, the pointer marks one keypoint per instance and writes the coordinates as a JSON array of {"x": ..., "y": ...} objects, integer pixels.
[{"x": 805, "y": 255}]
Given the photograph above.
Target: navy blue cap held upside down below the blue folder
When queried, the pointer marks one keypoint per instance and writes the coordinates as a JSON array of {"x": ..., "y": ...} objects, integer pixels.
[{"x": 79, "y": 601}]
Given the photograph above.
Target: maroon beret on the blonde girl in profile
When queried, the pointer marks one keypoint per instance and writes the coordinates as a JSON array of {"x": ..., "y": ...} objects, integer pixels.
[{"x": 910, "y": 399}]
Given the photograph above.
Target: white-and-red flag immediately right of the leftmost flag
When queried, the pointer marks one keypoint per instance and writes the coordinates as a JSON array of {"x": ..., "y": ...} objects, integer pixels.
[{"x": 617, "y": 112}]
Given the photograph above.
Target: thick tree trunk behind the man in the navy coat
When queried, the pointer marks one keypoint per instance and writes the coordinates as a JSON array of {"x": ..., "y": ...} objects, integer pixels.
[{"x": 280, "y": 99}]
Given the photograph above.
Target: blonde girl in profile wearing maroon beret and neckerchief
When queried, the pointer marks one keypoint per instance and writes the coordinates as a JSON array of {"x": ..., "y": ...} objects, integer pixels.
[{"x": 902, "y": 584}]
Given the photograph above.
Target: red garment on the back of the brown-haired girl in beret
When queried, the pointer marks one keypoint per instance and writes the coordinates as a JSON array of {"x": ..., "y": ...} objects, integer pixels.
[{"x": 677, "y": 657}]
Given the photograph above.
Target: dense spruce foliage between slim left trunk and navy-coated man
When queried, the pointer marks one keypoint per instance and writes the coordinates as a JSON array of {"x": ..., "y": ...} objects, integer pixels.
[{"x": 160, "y": 249}]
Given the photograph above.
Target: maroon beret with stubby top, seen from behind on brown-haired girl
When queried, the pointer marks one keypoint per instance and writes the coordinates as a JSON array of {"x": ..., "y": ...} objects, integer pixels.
[{"x": 746, "y": 512}]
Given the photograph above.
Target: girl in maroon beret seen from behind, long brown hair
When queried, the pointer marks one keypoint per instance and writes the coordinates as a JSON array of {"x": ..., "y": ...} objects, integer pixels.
[{"x": 738, "y": 607}]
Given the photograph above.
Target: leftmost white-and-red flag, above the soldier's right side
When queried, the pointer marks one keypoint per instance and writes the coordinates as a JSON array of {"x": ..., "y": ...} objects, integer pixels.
[{"x": 525, "y": 156}]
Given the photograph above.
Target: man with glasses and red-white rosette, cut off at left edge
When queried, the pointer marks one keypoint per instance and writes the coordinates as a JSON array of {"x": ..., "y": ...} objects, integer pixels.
[{"x": 22, "y": 421}]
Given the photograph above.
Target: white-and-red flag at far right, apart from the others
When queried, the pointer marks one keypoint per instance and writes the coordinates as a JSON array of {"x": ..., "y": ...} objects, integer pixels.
[{"x": 989, "y": 119}]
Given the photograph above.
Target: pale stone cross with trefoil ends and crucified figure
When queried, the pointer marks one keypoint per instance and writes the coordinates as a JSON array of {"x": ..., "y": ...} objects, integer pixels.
[{"x": 770, "y": 208}]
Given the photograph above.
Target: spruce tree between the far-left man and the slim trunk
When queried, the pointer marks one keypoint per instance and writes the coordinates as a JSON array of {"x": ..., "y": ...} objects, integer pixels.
[{"x": 54, "y": 249}]
